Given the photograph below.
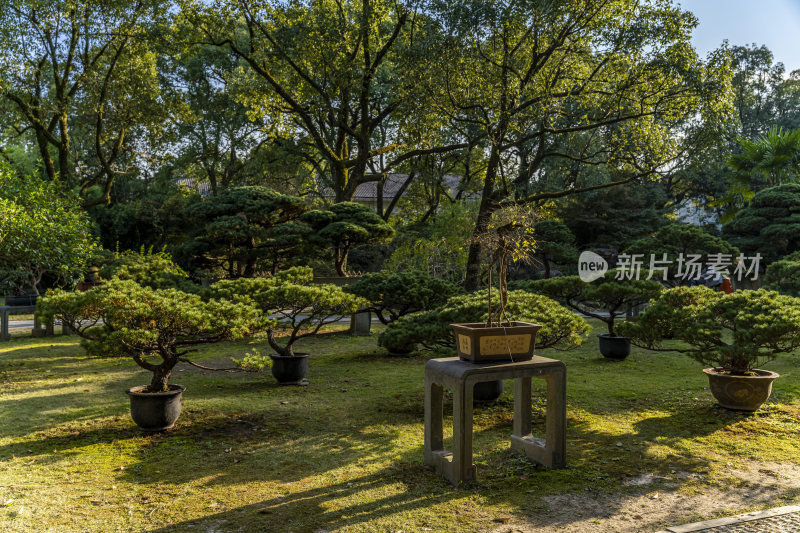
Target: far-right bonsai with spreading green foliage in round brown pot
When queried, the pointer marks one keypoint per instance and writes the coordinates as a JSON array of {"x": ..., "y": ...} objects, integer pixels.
[{"x": 731, "y": 333}]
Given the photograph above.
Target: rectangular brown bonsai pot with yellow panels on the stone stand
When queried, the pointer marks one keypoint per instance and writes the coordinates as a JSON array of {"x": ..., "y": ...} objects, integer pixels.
[{"x": 511, "y": 341}]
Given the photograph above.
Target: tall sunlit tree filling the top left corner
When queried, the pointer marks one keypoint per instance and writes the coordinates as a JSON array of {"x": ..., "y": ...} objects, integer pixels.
[{"x": 80, "y": 78}]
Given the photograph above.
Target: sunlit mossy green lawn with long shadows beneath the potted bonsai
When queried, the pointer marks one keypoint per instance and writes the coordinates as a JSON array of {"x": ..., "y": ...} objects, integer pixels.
[{"x": 646, "y": 447}]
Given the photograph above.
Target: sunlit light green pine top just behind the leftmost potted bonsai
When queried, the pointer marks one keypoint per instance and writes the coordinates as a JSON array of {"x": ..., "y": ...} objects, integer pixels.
[{"x": 154, "y": 270}]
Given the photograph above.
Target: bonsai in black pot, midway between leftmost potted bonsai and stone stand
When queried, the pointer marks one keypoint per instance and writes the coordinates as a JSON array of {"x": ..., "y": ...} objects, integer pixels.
[{"x": 301, "y": 311}]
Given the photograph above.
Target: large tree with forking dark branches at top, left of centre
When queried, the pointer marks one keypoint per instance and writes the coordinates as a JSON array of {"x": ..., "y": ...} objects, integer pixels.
[{"x": 340, "y": 77}]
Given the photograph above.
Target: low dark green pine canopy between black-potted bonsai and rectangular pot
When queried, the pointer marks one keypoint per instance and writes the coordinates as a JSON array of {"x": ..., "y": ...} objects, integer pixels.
[{"x": 395, "y": 294}]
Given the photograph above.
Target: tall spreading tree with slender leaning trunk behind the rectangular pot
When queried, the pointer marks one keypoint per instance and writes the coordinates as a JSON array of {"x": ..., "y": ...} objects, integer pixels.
[{"x": 581, "y": 83}]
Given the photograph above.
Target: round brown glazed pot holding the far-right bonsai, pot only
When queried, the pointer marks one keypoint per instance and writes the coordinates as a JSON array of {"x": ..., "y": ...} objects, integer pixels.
[{"x": 741, "y": 393}]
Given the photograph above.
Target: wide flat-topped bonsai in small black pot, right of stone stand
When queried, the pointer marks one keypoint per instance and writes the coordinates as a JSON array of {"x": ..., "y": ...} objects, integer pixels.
[{"x": 605, "y": 299}]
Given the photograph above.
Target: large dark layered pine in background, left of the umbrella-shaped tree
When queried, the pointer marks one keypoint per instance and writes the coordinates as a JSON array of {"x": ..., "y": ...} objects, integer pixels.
[{"x": 244, "y": 231}]
